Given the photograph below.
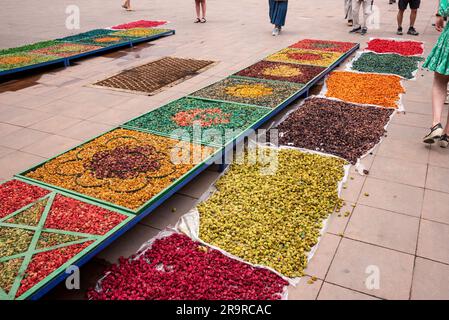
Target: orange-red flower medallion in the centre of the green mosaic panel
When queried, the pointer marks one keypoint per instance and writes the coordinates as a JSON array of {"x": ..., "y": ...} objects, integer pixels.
[{"x": 204, "y": 117}]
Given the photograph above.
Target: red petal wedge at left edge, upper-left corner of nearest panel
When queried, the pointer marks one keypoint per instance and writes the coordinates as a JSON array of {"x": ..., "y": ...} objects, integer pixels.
[{"x": 16, "y": 194}]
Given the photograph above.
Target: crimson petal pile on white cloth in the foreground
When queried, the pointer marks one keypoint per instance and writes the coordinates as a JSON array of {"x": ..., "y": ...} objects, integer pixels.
[{"x": 177, "y": 268}]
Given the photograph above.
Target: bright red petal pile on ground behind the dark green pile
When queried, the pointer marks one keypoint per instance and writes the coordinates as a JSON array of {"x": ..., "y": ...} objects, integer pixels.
[{"x": 405, "y": 48}]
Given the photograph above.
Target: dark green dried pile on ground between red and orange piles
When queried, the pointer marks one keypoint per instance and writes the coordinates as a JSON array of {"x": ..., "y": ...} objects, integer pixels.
[{"x": 387, "y": 63}]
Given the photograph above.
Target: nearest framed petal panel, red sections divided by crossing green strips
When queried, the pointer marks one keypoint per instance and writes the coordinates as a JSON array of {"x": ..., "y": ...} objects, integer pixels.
[{"x": 38, "y": 242}]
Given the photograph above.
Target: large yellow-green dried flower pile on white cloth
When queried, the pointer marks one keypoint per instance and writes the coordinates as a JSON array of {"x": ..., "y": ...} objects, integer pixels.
[{"x": 273, "y": 220}]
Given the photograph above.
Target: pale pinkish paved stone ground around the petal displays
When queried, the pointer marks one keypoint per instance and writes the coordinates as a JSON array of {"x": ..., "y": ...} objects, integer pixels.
[{"x": 402, "y": 227}]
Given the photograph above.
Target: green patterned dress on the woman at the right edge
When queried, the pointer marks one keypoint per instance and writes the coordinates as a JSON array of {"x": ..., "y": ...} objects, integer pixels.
[{"x": 438, "y": 60}]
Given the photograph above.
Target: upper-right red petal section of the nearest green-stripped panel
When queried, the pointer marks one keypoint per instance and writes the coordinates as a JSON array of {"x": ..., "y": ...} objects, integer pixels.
[{"x": 73, "y": 215}]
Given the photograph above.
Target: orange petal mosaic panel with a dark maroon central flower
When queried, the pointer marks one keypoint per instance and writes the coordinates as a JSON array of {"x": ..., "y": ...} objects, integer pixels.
[{"x": 122, "y": 167}]
